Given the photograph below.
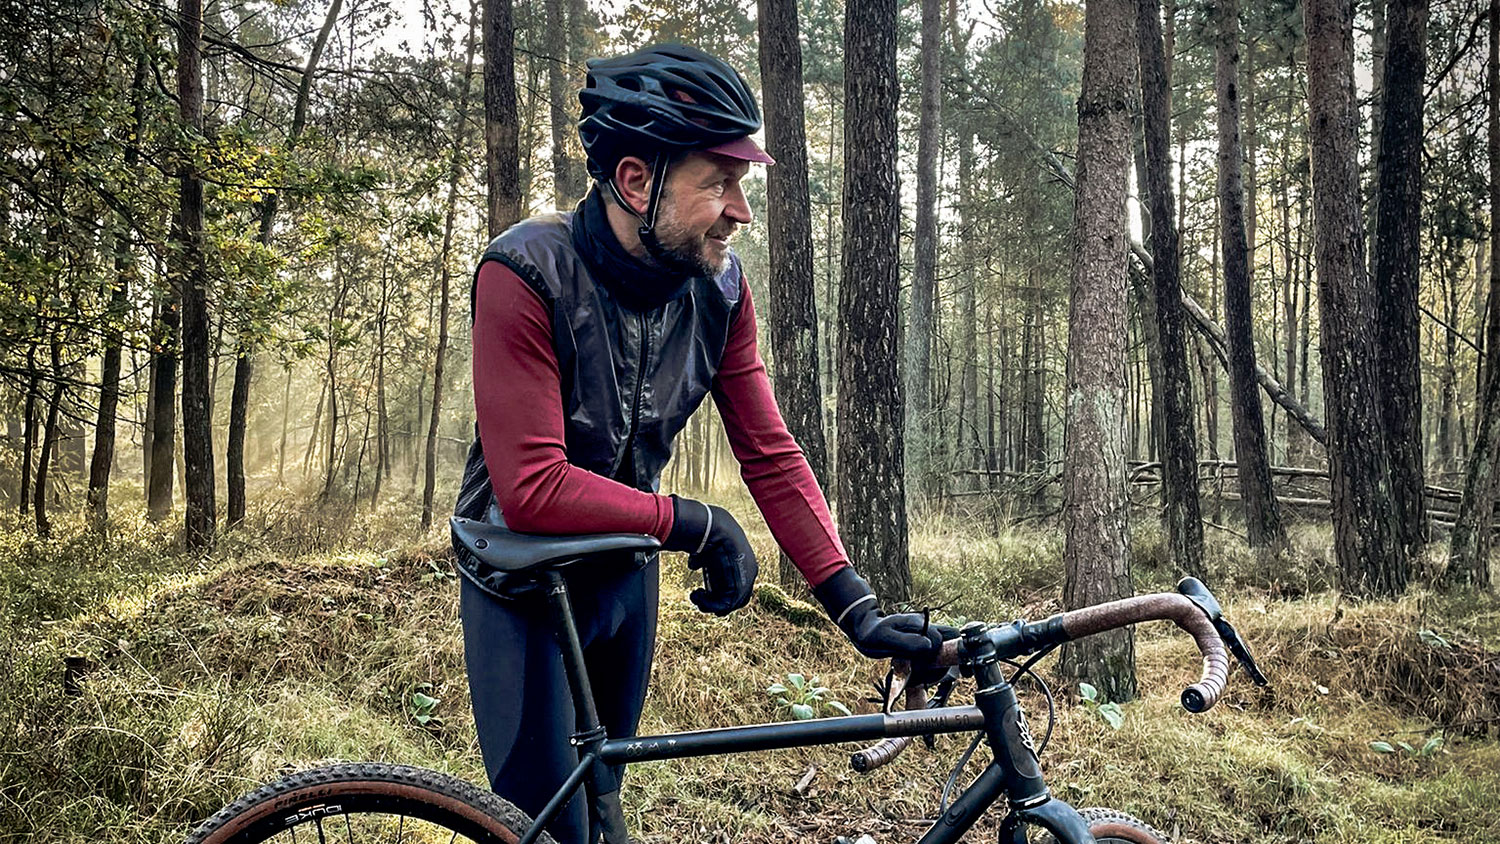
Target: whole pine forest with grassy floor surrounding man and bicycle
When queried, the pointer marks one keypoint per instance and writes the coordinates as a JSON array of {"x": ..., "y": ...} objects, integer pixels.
[{"x": 1061, "y": 299}]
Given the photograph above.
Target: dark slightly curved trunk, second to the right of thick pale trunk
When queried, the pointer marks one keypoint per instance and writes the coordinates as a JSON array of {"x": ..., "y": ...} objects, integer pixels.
[{"x": 1262, "y": 518}]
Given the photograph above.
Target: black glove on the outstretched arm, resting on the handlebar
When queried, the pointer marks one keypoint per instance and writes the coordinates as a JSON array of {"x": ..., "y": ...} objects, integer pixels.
[{"x": 854, "y": 608}]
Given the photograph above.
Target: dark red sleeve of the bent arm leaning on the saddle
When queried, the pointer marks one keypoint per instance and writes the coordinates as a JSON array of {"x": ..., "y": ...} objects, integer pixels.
[{"x": 518, "y": 401}]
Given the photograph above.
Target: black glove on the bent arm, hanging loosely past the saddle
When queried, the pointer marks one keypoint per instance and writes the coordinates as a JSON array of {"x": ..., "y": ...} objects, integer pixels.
[{"x": 715, "y": 543}]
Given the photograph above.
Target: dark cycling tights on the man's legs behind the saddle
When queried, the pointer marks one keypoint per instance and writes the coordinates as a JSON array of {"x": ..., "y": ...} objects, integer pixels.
[{"x": 523, "y": 705}]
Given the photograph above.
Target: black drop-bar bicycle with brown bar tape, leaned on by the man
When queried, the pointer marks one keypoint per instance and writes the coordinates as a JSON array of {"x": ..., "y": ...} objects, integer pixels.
[{"x": 391, "y": 800}]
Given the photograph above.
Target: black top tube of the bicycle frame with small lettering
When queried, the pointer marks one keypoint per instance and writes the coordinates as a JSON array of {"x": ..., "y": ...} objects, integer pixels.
[{"x": 794, "y": 734}]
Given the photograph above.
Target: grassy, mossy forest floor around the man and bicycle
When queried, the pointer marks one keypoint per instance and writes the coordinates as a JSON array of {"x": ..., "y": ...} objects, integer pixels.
[{"x": 145, "y": 689}]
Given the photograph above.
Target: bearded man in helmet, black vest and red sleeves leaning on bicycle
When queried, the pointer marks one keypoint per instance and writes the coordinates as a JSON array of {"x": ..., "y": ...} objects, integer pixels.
[{"x": 596, "y": 335}]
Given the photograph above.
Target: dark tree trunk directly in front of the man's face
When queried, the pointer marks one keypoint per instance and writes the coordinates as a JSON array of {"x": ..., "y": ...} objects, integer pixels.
[{"x": 790, "y": 224}]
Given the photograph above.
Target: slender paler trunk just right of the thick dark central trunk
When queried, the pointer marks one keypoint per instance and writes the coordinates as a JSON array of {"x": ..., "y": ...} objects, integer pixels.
[{"x": 925, "y": 275}]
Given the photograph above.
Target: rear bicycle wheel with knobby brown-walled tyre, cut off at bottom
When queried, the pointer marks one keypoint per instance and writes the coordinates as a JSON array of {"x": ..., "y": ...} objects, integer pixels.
[{"x": 367, "y": 803}]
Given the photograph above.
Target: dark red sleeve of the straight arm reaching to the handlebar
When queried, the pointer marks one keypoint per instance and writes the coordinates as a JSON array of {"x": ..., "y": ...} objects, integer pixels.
[{"x": 770, "y": 459}]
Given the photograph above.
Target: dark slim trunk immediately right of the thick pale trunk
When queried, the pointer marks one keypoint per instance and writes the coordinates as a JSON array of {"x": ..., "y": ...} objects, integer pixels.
[{"x": 1180, "y": 455}]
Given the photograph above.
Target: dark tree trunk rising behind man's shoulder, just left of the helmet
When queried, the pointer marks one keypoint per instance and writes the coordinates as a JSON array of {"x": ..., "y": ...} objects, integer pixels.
[{"x": 502, "y": 119}]
